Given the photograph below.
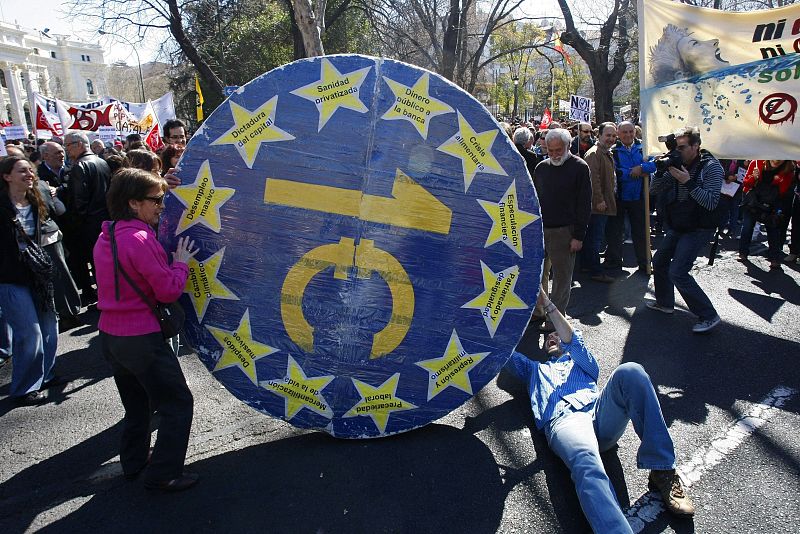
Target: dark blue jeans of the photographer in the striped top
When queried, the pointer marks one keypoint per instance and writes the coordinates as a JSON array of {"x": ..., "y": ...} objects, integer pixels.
[{"x": 671, "y": 264}]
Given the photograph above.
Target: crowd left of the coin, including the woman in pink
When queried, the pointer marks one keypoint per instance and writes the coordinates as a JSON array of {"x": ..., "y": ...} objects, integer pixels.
[{"x": 78, "y": 217}]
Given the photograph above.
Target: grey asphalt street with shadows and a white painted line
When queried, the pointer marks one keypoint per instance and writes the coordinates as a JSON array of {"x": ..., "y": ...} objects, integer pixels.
[{"x": 731, "y": 400}]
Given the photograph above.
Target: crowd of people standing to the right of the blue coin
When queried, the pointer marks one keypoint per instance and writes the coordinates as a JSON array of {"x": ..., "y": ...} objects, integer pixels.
[{"x": 739, "y": 198}]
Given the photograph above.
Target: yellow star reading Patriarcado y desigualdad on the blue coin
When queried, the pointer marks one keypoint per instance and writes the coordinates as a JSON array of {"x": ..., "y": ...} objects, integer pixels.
[{"x": 498, "y": 296}]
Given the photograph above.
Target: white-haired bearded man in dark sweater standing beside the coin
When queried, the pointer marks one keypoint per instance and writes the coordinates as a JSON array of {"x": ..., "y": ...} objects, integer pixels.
[{"x": 565, "y": 196}]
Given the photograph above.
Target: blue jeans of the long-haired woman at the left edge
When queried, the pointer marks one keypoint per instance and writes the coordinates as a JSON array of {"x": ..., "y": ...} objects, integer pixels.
[{"x": 34, "y": 338}]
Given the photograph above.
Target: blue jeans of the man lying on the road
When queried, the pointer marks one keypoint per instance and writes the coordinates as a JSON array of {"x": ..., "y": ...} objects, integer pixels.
[{"x": 579, "y": 437}]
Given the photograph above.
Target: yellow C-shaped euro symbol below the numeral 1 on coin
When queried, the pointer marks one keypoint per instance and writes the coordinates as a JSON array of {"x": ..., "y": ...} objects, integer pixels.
[{"x": 343, "y": 256}]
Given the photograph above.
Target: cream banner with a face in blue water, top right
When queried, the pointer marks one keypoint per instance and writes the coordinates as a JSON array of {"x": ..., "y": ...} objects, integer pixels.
[{"x": 735, "y": 75}]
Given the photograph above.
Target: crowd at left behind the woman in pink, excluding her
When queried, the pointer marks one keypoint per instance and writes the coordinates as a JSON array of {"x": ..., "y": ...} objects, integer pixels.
[{"x": 56, "y": 190}]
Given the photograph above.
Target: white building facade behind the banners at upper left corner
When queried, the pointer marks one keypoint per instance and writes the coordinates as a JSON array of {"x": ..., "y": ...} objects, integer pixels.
[{"x": 53, "y": 65}]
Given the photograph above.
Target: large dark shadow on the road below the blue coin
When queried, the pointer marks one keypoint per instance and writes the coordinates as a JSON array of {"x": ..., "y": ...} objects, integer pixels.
[{"x": 437, "y": 479}]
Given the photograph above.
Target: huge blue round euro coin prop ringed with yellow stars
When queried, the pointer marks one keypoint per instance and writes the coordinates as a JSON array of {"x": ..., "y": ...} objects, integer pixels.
[{"x": 370, "y": 245}]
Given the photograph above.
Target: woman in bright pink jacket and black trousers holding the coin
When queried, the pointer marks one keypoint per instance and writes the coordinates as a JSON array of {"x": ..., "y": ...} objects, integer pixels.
[{"x": 146, "y": 371}]
